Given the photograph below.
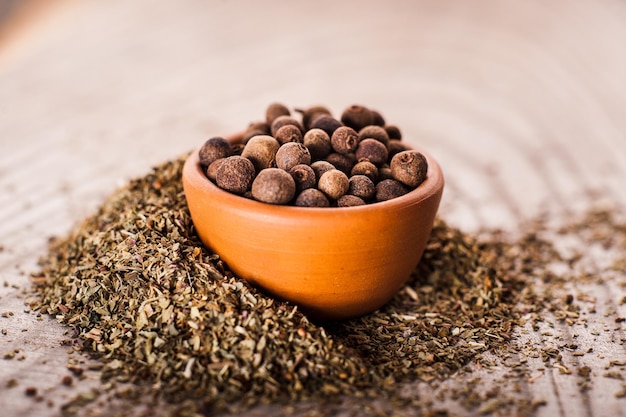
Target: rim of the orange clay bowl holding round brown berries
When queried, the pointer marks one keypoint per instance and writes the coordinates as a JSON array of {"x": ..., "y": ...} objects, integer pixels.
[{"x": 433, "y": 183}]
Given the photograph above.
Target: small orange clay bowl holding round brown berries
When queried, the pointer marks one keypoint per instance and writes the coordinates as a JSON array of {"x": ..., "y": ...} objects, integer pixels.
[{"x": 334, "y": 263}]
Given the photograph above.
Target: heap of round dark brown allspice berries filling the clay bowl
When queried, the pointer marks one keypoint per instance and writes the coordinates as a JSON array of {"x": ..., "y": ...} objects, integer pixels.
[{"x": 316, "y": 160}]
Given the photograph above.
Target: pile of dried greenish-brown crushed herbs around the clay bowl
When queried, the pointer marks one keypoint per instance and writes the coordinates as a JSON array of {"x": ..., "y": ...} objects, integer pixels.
[{"x": 162, "y": 313}]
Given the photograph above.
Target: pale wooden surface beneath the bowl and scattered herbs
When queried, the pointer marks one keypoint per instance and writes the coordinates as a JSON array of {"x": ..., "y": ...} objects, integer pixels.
[{"x": 522, "y": 102}]
